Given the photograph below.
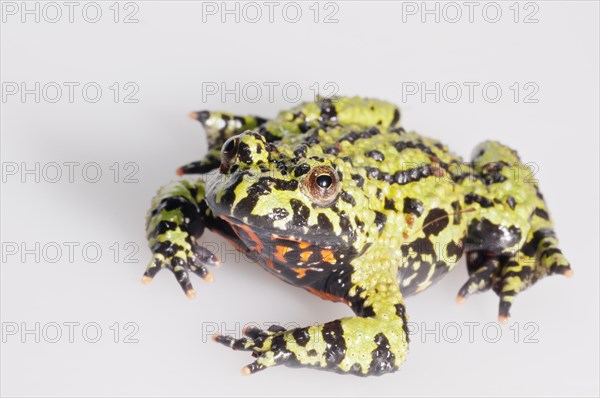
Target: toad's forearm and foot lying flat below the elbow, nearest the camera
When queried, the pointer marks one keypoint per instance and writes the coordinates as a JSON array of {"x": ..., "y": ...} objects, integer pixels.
[{"x": 360, "y": 346}]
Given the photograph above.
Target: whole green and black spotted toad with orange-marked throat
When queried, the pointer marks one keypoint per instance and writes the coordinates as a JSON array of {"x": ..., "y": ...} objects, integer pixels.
[{"x": 335, "y": 197}]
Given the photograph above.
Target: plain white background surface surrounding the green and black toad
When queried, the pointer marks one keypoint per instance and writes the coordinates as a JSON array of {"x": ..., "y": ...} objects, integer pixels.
[{"x": 373, "y": 50}]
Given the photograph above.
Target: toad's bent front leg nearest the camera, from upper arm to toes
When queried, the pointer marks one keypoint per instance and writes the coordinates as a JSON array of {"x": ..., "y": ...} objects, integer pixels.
[{"x": 373, "y": 342}]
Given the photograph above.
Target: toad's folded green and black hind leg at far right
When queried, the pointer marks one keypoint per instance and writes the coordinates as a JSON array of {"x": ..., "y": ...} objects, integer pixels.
[{"x": 510, "y": 242}]
